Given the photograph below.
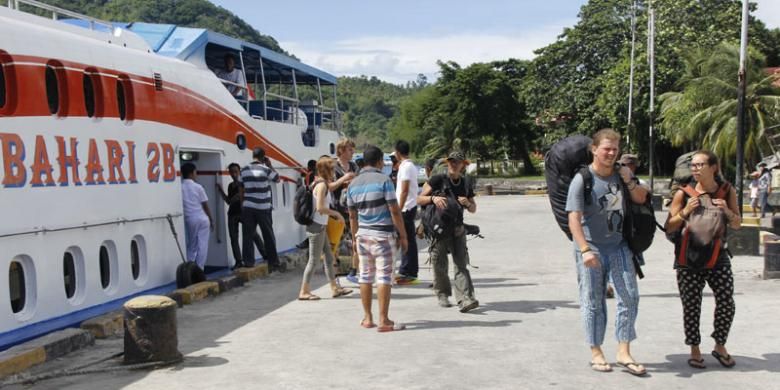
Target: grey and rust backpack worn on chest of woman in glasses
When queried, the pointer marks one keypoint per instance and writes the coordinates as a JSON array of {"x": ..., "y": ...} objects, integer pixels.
[{"x": 699, "y": 244}]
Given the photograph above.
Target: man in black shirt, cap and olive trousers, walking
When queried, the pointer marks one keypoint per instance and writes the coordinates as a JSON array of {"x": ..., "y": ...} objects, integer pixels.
[{"x": 435, "y": 192}]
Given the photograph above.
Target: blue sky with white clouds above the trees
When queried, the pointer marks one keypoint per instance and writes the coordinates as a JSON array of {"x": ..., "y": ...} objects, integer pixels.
[{"x": 396, "y": 40}]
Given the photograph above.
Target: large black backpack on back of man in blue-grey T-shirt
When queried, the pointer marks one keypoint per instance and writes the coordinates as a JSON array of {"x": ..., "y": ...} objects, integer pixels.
[{"x": 564, "y": 160}]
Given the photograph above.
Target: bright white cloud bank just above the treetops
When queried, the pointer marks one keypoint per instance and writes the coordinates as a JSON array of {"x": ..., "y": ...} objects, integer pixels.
[{"x": 398, "y": 59}]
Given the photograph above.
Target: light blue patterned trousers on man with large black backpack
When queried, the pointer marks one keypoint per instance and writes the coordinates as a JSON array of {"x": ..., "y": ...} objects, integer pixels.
[{"x": 615, "y": 265}]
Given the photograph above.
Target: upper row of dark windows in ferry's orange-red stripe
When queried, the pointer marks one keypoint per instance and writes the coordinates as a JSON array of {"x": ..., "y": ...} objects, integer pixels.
[{"x": 92, "y": 88}]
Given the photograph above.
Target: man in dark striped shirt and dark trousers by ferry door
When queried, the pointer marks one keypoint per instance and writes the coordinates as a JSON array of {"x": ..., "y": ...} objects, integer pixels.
[{"x": 256, "y": 210}]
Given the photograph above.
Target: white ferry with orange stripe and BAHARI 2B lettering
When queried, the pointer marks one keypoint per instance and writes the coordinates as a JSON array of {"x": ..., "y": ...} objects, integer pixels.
[{"x": 96, "y": 118}]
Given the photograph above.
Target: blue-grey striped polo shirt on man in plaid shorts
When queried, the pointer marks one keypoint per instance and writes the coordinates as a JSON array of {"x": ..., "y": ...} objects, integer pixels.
[{"x": 370, "y": 194}]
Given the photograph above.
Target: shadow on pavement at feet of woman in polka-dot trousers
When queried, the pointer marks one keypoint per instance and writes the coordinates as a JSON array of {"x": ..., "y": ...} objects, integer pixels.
[{"x": 678, "y": 364}]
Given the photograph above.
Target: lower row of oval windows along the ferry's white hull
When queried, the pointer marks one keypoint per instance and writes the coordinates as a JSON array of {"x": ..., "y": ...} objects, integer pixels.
[{"x": 22, "y": 274}]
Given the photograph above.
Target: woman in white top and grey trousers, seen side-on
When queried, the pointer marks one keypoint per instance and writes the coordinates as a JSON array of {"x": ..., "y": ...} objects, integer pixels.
[{"x": 318, "y": 236}]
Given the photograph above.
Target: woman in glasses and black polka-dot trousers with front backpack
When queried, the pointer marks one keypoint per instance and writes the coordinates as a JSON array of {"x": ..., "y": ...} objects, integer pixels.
[{"x": 699, "y": 216}]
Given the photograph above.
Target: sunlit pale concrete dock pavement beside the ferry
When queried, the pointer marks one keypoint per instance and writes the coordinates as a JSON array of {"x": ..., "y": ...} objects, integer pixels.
[{"x": 526, "y": 334}]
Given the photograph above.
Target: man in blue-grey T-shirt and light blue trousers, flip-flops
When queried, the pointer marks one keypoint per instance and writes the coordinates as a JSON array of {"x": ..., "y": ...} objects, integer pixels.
[{"x": 601, "y": 252}]
